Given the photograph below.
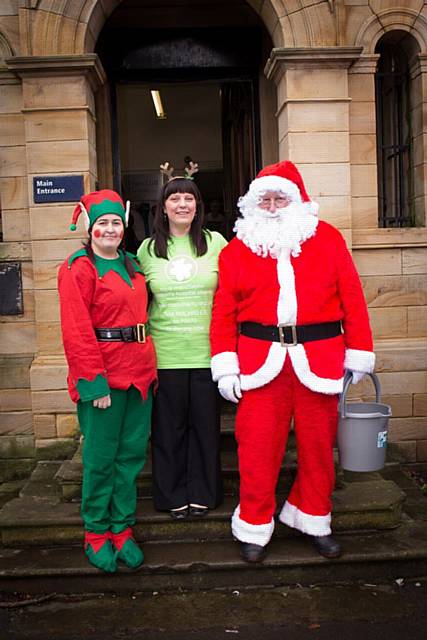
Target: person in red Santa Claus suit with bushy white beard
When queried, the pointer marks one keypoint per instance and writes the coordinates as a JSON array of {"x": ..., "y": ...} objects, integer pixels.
[{"x": 289, "y": 316}]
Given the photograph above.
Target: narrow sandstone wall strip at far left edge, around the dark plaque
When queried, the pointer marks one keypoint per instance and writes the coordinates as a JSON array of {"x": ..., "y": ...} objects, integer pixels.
[{"x": 17, "y": 332}]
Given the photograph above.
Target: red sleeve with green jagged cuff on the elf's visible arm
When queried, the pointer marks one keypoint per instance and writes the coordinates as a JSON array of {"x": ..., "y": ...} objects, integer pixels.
[{"x": 76, "y": 286}]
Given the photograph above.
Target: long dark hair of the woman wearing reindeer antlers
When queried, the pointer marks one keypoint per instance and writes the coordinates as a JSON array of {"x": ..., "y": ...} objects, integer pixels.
[{"x": 161, "y": 231}]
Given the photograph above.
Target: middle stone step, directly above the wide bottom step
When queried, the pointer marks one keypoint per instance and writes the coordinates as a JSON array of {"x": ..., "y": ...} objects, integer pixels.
[{"x": 40, "y": 516}]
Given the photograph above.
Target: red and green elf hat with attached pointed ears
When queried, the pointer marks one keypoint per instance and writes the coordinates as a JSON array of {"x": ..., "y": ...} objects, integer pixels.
[{"x": 97, "y": 204}]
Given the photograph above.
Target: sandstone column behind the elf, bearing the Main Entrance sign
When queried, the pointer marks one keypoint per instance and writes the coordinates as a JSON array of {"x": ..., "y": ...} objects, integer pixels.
[{"x": 59, "y": 116}]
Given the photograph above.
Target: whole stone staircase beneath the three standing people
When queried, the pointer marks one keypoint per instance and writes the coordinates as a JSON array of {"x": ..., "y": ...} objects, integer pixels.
[{"x": 383, "y": 534}]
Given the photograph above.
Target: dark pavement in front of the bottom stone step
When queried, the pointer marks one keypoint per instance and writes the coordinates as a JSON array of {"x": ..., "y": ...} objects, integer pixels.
[{"x": 389, "y": 611}]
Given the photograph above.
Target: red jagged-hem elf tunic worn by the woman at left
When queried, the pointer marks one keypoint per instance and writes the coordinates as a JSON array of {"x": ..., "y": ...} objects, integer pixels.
[{"x": 90, "y": 301}]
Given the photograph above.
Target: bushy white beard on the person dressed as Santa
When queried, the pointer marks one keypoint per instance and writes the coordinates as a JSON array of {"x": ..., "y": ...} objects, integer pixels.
[{"x": 270, "y": 234}]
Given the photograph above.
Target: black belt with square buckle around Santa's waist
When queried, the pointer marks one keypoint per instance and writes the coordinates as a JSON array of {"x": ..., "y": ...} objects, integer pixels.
[{"x": 290, "y": 335}]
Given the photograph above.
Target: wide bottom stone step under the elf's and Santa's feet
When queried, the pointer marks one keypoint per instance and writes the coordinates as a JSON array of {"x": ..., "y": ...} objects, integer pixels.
[{"x": 399, "y": 553}]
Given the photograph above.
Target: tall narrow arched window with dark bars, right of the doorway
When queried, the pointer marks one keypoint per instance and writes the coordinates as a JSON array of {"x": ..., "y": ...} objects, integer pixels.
[{"x": 394, "y": 136}]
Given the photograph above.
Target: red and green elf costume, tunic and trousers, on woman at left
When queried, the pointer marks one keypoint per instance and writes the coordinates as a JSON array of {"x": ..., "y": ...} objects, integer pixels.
[{"x": 115, "y": 439}]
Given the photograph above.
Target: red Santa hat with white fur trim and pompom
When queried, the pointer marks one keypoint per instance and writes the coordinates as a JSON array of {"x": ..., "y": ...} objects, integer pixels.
[{"x": 285, "y": 178}]
